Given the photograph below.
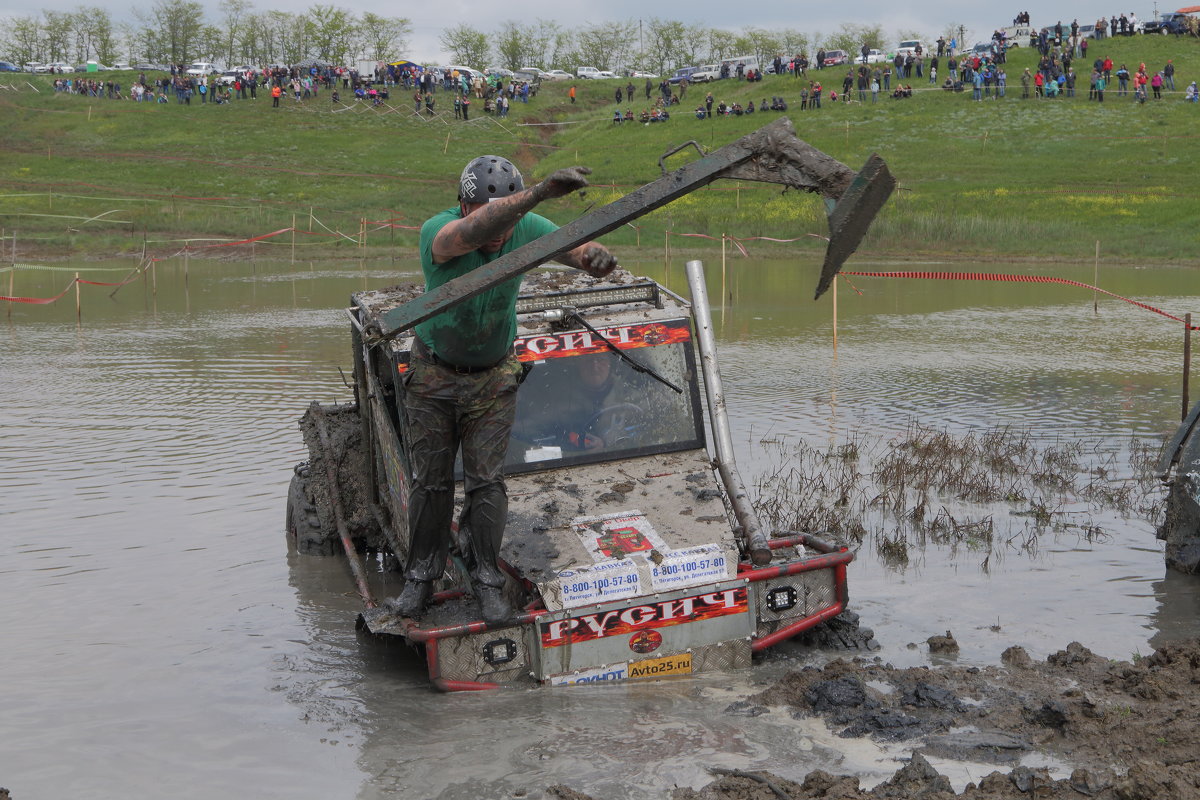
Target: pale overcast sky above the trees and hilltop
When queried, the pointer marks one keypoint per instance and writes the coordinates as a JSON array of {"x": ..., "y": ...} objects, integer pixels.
[{"x": 429, "y": 20}]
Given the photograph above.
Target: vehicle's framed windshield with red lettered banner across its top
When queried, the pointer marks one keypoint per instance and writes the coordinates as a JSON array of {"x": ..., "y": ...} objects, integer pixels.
[{"x": 583, "y": 404}]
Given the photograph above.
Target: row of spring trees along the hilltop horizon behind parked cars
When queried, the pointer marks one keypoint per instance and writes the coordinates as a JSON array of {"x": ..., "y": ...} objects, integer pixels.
[{"x": 181, "y": 32}]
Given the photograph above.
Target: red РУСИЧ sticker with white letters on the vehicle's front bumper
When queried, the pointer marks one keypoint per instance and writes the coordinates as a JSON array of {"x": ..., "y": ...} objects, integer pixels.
[{"x": 627, "y": 622}]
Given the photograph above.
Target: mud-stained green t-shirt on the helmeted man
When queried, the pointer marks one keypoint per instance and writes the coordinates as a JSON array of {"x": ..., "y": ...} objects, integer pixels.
[{"x": 479, "y": 332}]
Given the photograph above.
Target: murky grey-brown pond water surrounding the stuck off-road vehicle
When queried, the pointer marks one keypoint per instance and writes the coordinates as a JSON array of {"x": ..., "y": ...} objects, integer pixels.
[{"x": 160, "y": 642}]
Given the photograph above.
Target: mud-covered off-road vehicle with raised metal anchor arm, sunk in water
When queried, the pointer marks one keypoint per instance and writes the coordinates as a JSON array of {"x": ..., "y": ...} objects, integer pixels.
[{"x": 632, "y": 548}]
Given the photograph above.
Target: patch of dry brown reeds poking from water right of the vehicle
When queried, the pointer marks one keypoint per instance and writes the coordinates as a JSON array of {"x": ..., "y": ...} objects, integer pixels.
[{"x": 983, "y": 492}]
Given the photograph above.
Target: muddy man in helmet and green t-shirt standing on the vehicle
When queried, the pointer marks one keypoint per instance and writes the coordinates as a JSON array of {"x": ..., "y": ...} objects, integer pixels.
[{"x": 460, "y": 390}]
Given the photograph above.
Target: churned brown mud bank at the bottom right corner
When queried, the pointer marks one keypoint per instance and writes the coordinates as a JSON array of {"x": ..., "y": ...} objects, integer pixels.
[{"x": 1127, "y": 729}]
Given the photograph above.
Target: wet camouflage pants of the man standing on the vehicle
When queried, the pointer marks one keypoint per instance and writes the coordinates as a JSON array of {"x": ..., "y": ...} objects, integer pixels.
[{"x": 447, "y": 411}]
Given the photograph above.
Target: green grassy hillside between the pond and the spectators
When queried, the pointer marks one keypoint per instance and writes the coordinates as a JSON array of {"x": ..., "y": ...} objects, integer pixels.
[{"x": 1011, "y": 178}]
